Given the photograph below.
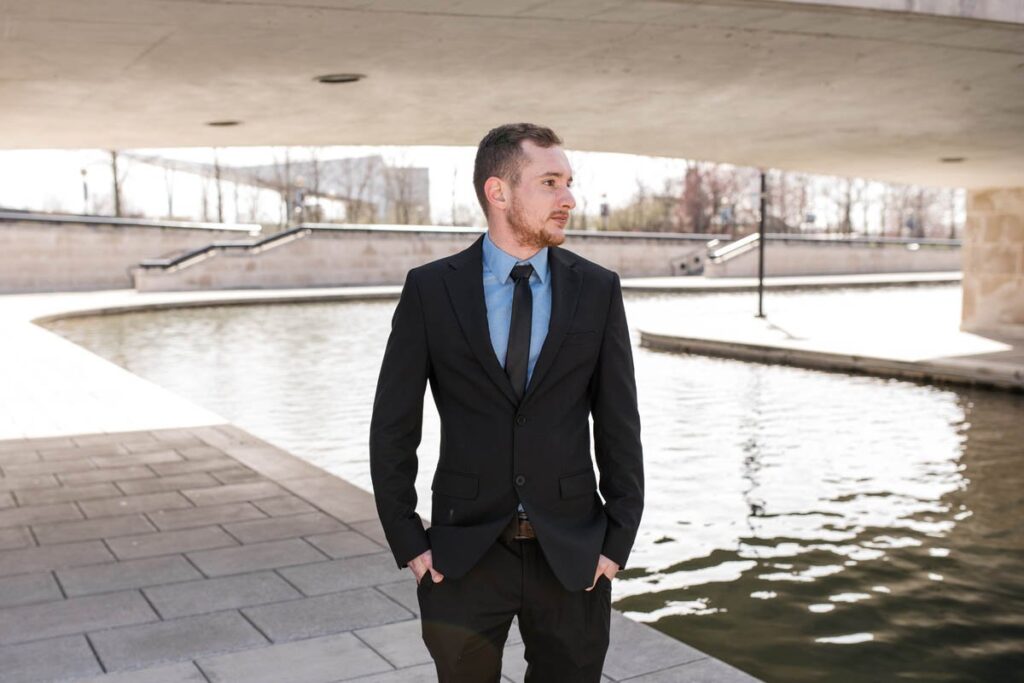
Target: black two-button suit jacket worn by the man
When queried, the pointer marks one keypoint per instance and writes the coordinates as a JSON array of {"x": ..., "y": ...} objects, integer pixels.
[{"x": 497, "y": 451}]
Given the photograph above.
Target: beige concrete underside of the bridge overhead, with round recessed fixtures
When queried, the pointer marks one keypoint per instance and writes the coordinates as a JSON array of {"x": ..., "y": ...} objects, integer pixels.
[{"x": 821, "y": 88}]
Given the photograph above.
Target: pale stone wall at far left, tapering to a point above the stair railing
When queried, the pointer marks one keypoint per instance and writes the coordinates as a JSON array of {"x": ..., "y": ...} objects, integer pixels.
[{"x": 41, "y": 253}]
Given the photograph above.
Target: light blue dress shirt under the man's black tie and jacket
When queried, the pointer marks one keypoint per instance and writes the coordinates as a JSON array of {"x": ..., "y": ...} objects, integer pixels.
[{"x": 498, "y": 289}]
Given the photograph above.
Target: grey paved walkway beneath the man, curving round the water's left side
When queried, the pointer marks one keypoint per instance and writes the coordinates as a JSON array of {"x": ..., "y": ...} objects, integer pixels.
[{"x": 146, "y": 540}]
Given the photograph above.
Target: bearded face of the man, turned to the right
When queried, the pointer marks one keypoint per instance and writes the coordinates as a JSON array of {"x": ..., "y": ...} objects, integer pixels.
[{"x": 542, "y": 200}]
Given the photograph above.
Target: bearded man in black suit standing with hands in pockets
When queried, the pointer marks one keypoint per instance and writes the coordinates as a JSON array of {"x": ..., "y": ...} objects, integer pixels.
[{"x": 522, "y": 343}]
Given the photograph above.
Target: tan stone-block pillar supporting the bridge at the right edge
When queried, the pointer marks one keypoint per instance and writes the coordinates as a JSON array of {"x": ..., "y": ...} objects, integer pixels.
[{"x": 994, "y": 264}]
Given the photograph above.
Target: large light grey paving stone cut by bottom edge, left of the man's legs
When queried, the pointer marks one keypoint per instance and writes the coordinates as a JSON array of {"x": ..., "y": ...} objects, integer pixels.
[{"x": 323, "y": 660}]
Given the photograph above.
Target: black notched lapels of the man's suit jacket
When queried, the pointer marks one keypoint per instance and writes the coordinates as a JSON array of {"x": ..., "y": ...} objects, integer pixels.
[{"x": 464, "y": 282}]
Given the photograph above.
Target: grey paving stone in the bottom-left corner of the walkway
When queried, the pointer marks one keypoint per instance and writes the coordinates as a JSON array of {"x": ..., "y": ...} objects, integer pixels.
[{"x": 47, "y": 661}]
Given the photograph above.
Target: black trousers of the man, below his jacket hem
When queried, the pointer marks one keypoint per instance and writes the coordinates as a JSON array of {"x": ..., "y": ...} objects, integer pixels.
[{"x": 466, "y": 621}]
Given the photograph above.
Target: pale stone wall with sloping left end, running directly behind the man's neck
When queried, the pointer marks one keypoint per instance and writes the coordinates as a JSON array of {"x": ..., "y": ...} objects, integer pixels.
[{"x": 382, "y": 255}]
